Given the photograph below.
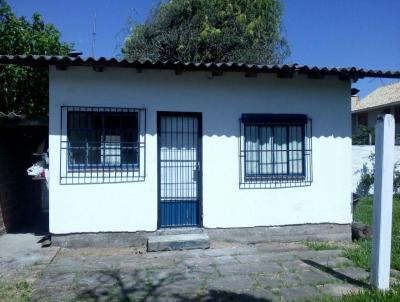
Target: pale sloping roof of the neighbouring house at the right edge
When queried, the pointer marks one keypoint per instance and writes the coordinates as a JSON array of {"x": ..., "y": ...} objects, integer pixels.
[{"x": 383, "y": 96}]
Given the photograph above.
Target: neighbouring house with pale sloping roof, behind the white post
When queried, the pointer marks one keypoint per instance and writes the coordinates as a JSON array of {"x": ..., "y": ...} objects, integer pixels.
[{"x": 385, "y": 99}]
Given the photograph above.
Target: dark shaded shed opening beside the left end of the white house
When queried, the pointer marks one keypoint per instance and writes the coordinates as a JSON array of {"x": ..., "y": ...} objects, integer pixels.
[{"x": 20, "y": 196}]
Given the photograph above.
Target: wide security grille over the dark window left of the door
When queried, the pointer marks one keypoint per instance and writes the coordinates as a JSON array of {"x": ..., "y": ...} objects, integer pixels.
[{"x": 102, "y": 145}]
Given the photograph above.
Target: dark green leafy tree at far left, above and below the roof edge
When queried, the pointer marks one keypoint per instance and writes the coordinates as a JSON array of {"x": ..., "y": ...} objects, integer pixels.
[{"x": 25, "y": 89}]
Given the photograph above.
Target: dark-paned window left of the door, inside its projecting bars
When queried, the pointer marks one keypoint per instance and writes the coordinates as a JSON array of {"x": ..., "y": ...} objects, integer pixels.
[{"x": 107, "y": 139}]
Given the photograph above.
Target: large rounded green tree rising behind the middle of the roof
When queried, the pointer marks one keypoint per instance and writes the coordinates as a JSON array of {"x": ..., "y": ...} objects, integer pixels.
[{"x": 247, "y": 31}]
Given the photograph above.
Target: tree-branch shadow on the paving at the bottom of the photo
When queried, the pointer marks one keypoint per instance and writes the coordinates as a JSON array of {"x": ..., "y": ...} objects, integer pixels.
[{"x": 116, "y": 285}]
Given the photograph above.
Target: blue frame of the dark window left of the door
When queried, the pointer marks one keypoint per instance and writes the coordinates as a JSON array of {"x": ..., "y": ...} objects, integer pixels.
[{"x": 72, "y": 167}]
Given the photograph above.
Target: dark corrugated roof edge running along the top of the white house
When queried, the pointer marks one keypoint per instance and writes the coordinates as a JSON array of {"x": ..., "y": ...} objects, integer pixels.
[{"x": 313, "y": 71}]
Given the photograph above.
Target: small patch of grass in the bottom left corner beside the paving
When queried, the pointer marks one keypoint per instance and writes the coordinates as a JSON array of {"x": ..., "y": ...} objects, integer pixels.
[{"x": 20, "y": 291}]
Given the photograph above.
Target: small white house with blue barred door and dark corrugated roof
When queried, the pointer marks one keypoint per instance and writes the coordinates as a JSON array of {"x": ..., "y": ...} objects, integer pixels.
[{"x": 141, "y": 146}]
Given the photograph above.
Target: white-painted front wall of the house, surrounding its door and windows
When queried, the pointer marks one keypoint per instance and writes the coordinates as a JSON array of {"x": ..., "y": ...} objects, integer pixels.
[{"x": 221, "y": 100}]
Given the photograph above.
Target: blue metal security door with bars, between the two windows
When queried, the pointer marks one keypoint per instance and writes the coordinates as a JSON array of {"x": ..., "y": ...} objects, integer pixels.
[{"x": 179, "y": 169}]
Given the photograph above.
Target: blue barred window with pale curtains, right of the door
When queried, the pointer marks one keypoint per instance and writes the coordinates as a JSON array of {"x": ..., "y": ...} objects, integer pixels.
[{"x": 275, "y": 151}]
